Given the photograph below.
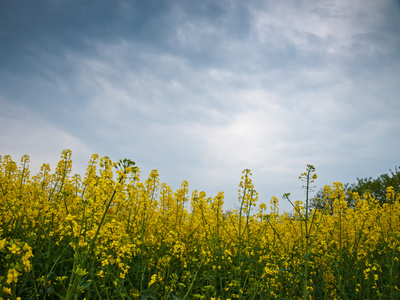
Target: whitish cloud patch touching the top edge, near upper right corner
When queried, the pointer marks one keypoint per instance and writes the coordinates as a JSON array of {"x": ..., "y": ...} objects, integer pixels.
[{"x": 327, "y": 26}]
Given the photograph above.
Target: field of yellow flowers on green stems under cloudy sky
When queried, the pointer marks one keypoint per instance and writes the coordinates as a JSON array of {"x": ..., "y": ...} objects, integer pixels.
[{"x": 109, "y": 235}]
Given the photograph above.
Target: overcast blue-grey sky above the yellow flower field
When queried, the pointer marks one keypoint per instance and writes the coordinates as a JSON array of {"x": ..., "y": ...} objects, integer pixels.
[{"x": 202, "y": 90}]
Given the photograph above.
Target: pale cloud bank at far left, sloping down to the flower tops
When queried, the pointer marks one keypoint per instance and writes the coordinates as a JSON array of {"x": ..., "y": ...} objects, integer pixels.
[{"x": 24, "y": 132}]
